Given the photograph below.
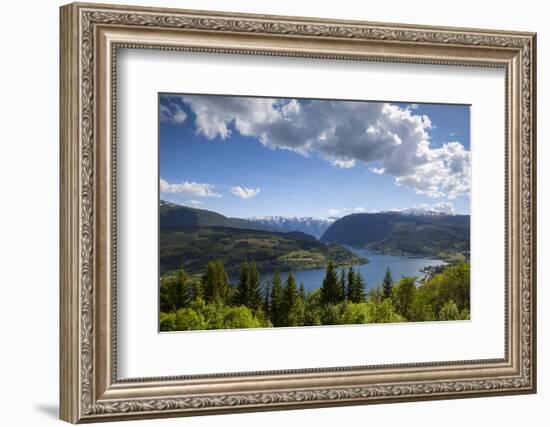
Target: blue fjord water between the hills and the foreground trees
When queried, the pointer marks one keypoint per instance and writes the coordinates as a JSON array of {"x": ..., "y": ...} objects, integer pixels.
[{"x": 372, "y": 272}]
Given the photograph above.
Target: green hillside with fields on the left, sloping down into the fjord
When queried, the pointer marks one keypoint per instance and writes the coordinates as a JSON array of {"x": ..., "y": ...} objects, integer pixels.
[{"x": 191, "y": 237}]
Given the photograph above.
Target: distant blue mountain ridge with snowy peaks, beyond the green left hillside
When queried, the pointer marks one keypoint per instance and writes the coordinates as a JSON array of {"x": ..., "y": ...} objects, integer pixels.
[{"x": 414, "y": 231}]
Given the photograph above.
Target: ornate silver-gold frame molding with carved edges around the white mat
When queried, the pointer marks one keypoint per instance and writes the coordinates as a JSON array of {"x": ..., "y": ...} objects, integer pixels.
[{"x": 90, "y": 37}]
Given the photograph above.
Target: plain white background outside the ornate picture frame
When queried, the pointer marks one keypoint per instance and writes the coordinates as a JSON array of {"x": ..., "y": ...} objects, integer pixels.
[{"x": 29, "y": 226}]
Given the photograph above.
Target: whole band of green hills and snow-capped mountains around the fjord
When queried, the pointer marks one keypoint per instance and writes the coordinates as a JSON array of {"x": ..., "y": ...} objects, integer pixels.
[{"x": 190, "y": 237}]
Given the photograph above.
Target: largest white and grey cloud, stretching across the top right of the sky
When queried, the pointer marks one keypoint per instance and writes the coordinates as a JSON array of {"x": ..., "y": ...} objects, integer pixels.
[{"x": 392, "y": 140}]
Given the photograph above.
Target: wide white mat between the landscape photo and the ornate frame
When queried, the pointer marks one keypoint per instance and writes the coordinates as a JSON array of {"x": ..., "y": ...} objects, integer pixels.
[{"x": 144, "y": 73}]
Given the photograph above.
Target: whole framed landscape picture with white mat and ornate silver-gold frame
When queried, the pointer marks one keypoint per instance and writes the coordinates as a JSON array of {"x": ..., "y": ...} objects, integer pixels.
[{"x": 265, "y": 212}]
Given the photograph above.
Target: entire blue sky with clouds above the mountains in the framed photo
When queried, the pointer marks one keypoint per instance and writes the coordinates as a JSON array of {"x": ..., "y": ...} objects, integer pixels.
[{"x": 244, "y": 157}]
